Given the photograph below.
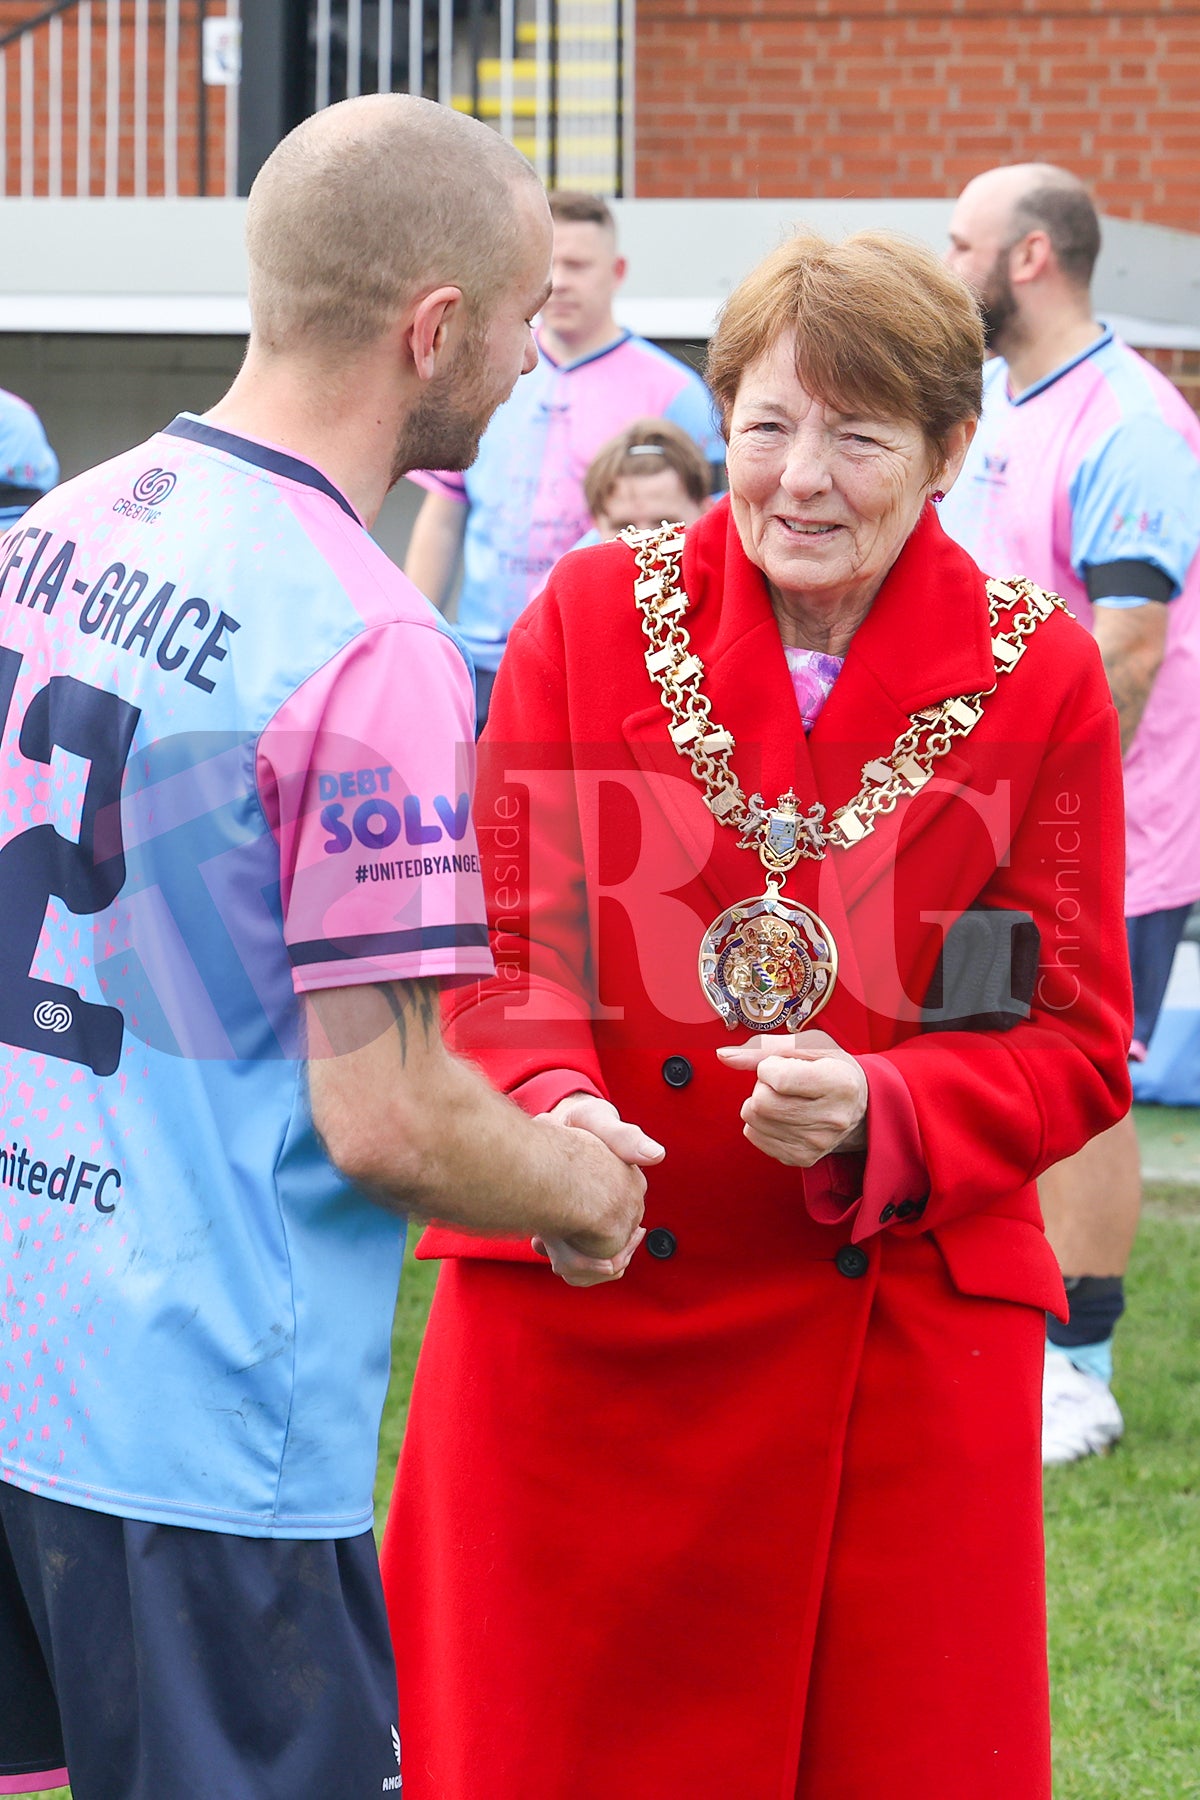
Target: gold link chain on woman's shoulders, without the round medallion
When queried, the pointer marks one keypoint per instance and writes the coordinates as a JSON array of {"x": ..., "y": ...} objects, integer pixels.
[{"x": 782, "y": 834}]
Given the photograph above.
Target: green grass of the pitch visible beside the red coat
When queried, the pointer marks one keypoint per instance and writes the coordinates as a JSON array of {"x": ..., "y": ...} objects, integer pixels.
[{"x": 1124, "y": 1534}]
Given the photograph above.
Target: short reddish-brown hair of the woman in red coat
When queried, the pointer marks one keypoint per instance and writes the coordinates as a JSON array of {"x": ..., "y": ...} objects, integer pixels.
[{"x": 881, "y": 328}]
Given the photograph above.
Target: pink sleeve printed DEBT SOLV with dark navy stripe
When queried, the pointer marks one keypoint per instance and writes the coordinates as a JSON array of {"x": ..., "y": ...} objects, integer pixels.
[{"x": 368, "y": 777}]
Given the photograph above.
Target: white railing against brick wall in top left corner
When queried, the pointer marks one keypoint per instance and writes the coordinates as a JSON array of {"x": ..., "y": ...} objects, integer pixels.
[{"x": 112, "y": 98}]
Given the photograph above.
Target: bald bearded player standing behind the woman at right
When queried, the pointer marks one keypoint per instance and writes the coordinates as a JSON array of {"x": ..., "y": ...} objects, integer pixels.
[{"x": 1086, "y": 478}]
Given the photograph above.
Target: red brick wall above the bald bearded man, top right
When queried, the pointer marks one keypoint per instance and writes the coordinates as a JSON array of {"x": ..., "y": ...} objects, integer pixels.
[{"x": 911, "y": 98}]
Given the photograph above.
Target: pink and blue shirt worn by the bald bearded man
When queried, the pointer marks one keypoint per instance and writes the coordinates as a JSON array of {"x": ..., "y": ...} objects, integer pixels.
[{"x": 1100, "y": 463}]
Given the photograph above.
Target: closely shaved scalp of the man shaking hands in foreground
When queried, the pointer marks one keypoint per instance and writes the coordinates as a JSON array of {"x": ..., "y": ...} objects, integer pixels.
[{"x": 372, "y": 202}]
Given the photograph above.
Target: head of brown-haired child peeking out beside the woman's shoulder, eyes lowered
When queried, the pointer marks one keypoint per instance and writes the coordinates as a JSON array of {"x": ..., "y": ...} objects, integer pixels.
[{"x": 649, "y": 472}]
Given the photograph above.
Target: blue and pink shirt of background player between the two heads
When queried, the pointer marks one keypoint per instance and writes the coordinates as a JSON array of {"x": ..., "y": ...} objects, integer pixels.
[{"x": 526, "y": 489}]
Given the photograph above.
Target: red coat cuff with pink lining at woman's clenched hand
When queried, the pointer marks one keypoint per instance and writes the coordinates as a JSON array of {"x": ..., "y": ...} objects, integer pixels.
[{"x": 888, "y": 1183}]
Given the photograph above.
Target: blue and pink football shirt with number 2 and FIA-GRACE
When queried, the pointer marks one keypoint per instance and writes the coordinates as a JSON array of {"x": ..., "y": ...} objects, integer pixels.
[{"x": 238, "y": 753}]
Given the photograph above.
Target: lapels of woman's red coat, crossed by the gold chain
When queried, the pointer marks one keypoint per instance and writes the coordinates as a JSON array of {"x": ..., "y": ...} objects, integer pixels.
[{"x": 926, "y": 638}]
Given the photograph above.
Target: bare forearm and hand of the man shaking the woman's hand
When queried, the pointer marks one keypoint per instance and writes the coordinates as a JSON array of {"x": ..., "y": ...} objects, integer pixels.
[{"x": 424, "y": 1133}]
